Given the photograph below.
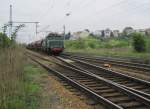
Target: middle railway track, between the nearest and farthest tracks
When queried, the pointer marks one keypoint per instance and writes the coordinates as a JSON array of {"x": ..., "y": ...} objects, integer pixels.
[{"x": 139, "y": 86}]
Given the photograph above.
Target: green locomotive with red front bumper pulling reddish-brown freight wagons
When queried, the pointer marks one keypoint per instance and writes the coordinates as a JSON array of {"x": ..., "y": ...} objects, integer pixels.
[{"x": 52, "y": 44}]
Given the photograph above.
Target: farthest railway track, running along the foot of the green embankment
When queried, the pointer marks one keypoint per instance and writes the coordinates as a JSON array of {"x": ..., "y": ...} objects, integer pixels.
[{"x": 114, "y": 62}]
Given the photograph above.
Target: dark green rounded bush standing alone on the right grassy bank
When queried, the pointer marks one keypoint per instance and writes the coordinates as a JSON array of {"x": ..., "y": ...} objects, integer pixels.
[{"x": 138, "y": 42}]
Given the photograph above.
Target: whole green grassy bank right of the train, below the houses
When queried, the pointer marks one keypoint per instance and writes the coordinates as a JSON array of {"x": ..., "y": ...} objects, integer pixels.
[{"x": 110, "y": 47}]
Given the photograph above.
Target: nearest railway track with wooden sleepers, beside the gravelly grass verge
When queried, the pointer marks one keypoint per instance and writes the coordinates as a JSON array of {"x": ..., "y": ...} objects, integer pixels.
[{"x": 110, "y": 94}]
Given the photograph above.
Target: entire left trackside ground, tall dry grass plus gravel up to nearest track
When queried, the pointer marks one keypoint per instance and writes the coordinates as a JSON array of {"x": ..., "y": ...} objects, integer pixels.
[{"x": 25, "y": 85}]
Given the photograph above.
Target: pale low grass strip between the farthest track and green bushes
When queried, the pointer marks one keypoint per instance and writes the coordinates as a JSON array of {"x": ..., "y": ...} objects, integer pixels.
[{"x": 114, "y": 52}]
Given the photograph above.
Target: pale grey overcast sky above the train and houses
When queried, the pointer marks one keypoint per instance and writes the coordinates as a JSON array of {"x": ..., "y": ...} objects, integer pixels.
[{"x": 84, "y": 14}]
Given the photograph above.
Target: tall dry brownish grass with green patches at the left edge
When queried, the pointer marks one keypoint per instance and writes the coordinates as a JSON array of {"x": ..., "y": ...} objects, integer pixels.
[{"x": 17, "y": 88}]
